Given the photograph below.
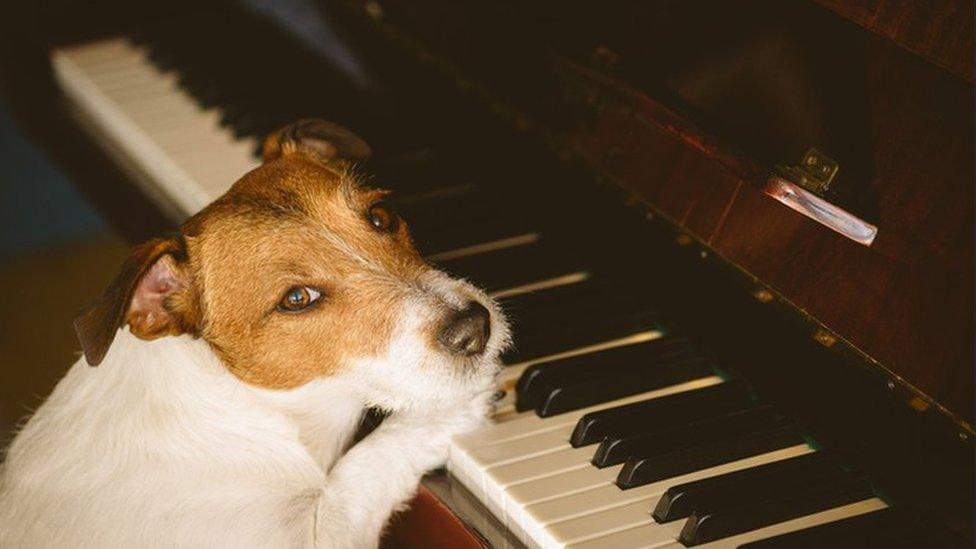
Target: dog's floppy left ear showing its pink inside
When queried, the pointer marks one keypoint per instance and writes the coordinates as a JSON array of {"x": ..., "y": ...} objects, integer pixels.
[{"x": 149, "y": 294}]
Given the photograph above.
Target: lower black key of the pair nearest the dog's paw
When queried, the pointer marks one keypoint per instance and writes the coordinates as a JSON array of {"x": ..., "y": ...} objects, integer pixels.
[{"x": 619, "y": 383}]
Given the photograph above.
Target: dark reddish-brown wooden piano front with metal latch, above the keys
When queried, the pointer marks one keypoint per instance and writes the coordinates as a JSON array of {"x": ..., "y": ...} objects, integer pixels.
[{"x": 708, "y": 112}]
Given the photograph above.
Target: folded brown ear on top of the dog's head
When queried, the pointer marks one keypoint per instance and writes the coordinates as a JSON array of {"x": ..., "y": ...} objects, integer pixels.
[{"x": 324, "y": 140}]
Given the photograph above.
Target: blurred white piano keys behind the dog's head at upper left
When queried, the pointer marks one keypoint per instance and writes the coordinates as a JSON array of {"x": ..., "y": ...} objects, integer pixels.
[{"x": 179, "y": 150}]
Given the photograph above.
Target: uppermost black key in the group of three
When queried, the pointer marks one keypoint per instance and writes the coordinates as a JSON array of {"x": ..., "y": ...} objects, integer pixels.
[{"x": 661, "y": 413}]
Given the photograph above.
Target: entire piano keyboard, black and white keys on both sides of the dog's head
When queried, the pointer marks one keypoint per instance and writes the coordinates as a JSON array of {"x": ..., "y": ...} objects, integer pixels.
[{"x": 614, "y": 431}]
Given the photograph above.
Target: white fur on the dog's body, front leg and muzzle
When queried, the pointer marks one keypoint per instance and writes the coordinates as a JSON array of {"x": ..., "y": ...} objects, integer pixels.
[{"x": 160, "y": 446}]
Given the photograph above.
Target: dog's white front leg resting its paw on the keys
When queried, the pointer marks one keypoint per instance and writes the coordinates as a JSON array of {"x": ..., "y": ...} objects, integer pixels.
[{"x": 381, "y": 473}]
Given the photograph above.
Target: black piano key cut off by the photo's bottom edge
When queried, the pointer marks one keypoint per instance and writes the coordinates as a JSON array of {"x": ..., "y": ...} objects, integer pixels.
[{"x": 874, "y": 529}]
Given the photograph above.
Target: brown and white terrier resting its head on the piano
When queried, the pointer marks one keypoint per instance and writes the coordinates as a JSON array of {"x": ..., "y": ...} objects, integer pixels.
[{"x": 226, "y": 369}]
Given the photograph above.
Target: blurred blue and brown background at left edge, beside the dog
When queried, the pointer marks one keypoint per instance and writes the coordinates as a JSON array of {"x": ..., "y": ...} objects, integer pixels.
[{"x": 56, "y": 254}]
